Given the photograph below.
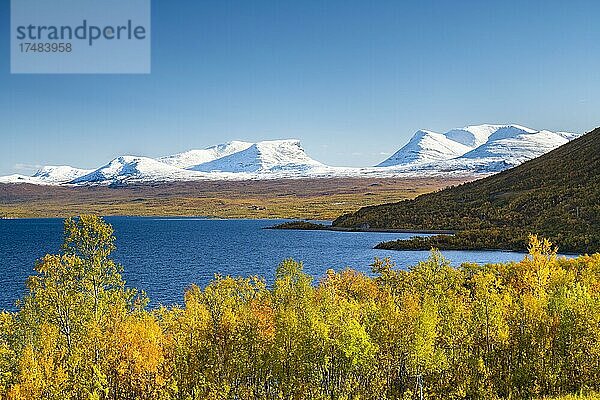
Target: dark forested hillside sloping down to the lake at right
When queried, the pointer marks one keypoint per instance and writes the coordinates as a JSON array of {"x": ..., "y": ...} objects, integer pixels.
[{"x": 556, "y": 195}]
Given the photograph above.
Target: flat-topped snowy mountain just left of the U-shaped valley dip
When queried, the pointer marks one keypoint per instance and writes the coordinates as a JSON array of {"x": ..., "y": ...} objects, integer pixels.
[{"x": 273, "y": 155}]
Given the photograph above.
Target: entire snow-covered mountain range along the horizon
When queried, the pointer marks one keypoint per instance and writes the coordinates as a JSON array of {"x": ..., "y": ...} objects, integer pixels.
[{"x": 472, "y": 150}]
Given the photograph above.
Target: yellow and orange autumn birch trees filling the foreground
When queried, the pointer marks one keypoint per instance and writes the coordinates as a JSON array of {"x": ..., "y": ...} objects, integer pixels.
[{"x": 518, "y": 330}]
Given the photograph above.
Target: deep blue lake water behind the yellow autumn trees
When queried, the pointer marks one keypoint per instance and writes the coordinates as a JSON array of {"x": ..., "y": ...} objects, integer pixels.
[{"x": 163, "y": 256}]
